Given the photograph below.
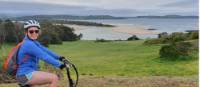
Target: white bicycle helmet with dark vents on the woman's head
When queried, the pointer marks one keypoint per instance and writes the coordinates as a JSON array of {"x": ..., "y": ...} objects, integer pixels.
[{"x": 31, "y": 23}]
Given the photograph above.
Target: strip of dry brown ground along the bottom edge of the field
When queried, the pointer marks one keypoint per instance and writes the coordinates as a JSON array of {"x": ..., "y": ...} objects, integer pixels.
[{"x": 153, "y": 81}]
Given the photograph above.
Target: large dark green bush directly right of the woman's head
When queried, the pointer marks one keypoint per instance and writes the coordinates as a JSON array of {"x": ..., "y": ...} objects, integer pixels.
[{"x": 55, "y": 34}]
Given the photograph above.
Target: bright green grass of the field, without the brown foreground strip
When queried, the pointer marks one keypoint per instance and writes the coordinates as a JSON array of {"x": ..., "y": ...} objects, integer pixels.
[{"x": 121, "y": 58}]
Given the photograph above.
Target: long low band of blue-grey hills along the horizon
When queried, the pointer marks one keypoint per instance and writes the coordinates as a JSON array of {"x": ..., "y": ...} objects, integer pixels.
[{"x": 89, "y": 17}]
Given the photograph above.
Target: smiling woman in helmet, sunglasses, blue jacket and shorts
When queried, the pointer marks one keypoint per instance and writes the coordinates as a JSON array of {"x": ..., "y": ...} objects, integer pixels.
[{"x": 31, "y": 51}]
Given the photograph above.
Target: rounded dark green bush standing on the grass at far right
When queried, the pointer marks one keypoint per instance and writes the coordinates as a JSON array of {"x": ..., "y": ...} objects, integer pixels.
[{"x": 175, "y": 51}]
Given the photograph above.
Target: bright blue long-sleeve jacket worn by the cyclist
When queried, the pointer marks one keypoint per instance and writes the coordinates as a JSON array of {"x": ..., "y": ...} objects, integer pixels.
[{"x": 33, "y": 51}]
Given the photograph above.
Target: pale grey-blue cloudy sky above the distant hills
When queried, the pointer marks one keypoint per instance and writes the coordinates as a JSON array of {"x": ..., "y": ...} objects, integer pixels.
[{"x": 122, "y": 8}]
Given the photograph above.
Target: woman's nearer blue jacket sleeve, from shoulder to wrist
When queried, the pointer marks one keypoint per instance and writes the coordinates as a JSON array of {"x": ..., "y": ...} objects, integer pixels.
[{"x": 34, "y": 50}]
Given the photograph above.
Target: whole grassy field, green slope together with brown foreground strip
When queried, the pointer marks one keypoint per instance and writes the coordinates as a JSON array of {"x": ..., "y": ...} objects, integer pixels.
[{"x": 125, "y": 64}]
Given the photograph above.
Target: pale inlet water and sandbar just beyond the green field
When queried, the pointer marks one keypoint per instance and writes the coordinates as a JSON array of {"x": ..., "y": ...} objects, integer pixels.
[{"x": 119, "y": 32}]
